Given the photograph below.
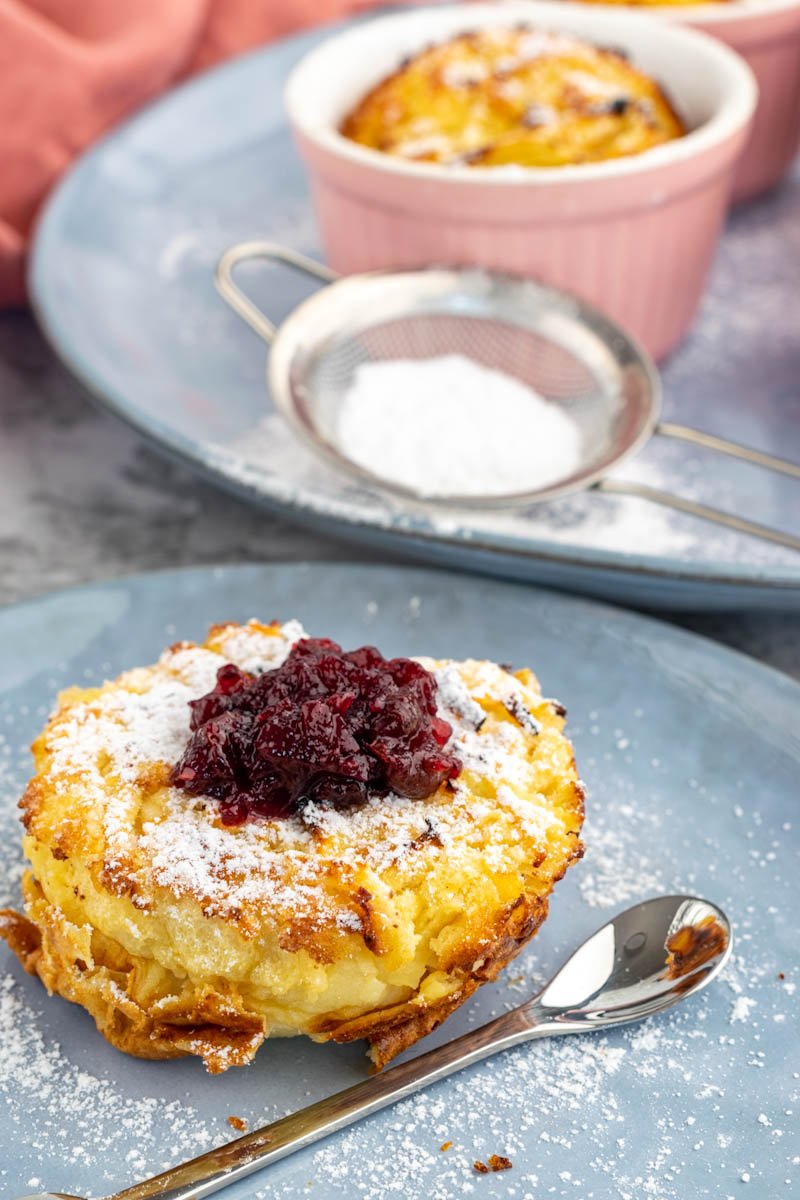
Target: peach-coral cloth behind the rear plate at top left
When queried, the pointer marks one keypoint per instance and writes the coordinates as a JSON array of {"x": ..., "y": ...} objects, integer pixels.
[{"x": 70, "y": 69}]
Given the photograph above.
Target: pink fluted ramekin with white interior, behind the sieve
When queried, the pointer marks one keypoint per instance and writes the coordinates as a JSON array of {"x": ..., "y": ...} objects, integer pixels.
[{"x": 634, "y": 236}]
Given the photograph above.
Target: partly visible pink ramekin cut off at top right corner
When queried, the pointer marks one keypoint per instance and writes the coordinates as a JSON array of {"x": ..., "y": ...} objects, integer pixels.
[{"x": 767, "y": 34}]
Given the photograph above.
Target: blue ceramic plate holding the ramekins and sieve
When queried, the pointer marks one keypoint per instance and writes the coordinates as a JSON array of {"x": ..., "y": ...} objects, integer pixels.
[{"x": 122, "y": 280}]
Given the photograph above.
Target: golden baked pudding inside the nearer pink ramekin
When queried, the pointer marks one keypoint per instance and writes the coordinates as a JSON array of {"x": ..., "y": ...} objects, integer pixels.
[{"x": 525, "y": 97}]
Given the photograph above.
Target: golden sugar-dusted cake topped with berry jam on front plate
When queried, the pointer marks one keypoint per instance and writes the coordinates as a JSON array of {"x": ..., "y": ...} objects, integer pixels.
[{"x": 188, "y": 927}]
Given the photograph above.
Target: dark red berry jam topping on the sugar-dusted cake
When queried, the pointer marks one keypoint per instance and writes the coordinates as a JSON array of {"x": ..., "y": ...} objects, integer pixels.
[{"x": 327, "y": 725}]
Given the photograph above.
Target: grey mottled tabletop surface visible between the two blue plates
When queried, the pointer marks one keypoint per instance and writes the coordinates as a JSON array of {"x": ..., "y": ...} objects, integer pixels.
[{"x": 83, "y": 499}]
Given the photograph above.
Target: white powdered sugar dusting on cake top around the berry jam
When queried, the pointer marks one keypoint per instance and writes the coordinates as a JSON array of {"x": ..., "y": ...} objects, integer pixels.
[{"x": 278, "y": 867}]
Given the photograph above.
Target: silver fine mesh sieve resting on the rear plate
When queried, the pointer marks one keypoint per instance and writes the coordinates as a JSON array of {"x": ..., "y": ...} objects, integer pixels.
[{"x": 561, "y": 347}]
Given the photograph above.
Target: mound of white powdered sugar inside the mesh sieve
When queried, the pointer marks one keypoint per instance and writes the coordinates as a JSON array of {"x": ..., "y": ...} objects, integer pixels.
[{"x": 450, "y": 427}]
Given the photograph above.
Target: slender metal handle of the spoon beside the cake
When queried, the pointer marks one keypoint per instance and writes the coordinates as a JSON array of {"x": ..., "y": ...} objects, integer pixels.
[{"x": 227, "y": 1165}]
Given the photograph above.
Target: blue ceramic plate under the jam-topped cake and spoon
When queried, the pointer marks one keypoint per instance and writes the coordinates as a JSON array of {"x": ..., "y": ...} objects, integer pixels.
[{"x": 691, "y": 757}]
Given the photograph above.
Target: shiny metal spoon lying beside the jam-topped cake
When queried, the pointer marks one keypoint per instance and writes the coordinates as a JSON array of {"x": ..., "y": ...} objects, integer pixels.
[{"x": 643, "y": 962}]
